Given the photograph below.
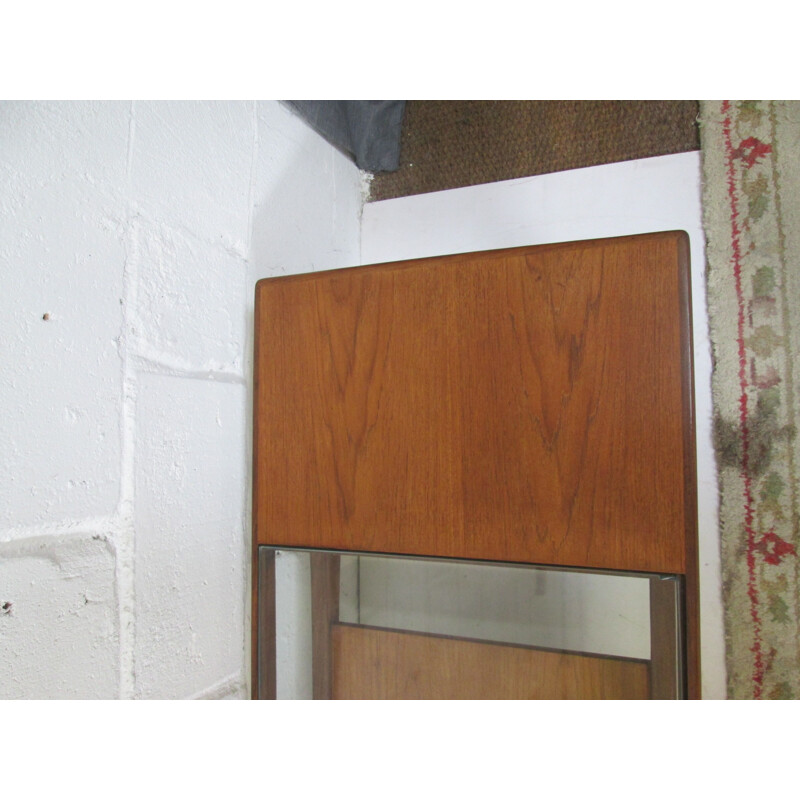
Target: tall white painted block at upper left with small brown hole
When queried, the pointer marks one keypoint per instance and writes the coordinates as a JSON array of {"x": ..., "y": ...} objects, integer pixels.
[{"x": 60, "y": 256}]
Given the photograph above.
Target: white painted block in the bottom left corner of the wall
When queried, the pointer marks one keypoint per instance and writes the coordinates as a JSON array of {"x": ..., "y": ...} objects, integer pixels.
[{"x": 58, "y": 622}]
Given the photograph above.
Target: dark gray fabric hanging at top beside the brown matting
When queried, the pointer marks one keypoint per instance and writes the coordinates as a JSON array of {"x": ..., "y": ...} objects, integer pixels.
[{"x": 367, "y": 130}]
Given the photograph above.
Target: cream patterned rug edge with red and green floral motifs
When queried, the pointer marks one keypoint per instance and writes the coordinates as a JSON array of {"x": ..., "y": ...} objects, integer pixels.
[{"x": 751, "y": 206}]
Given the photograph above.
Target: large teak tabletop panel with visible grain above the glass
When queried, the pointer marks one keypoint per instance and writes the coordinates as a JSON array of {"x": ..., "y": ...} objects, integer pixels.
[{"x": 530, "y": 405}]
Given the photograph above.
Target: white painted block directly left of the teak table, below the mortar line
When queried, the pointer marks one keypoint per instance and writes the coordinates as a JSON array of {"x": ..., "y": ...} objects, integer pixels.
[{"x": 190, "y": 507}]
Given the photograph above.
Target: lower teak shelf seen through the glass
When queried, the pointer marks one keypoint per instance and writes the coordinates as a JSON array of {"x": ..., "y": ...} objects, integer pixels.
[{"x": 379, "y": 664}]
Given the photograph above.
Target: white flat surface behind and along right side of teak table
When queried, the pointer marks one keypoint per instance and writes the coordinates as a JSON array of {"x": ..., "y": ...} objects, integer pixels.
[{"x": 654, "y": 194}]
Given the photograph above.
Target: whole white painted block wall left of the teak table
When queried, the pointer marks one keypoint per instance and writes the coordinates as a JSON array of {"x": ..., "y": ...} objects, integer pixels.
[{"x": 138, "y": 230}]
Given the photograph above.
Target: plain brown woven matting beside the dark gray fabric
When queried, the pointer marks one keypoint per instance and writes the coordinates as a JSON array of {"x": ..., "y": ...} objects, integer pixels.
[{"x": 447, "y": 144}]
